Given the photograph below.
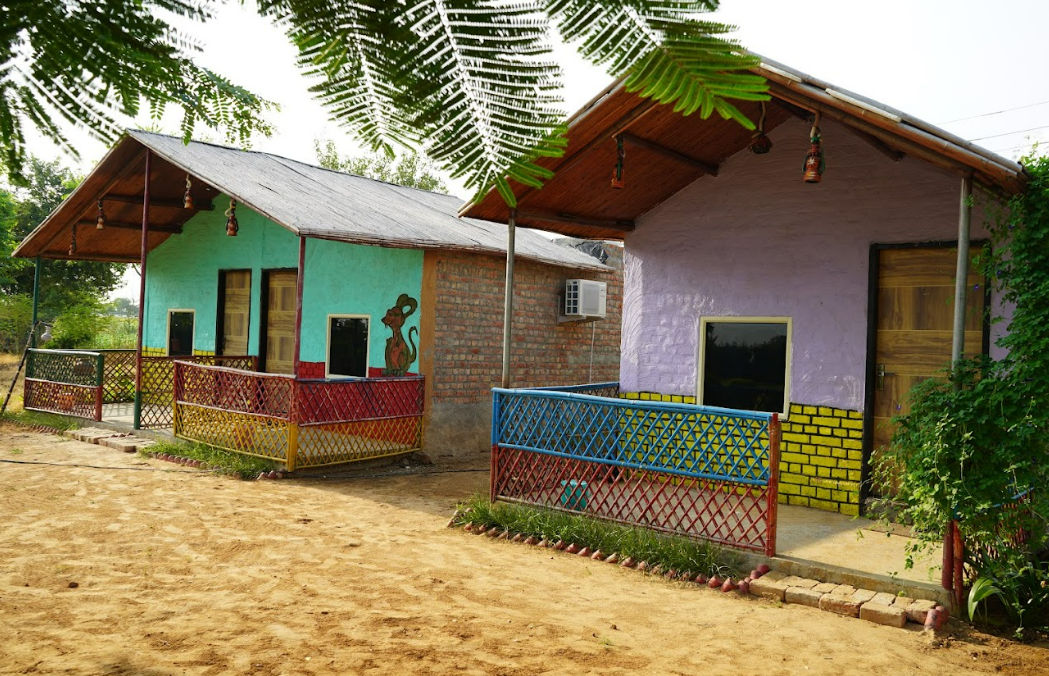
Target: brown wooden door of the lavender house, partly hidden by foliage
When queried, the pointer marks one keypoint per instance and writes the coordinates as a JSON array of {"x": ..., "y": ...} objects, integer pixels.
[{"x": 914, "y": 331}]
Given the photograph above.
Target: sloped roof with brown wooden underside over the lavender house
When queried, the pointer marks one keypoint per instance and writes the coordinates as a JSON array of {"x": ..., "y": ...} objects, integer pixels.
[{"x": 668, "y": 152}]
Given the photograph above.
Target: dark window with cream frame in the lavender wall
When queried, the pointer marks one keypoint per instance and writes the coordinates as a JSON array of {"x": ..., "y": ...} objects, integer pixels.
[{"x": 745, "y": 363}]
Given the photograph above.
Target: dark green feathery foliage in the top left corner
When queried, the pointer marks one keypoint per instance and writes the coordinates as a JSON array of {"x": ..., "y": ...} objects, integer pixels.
[{"x": 87, "y": 62}]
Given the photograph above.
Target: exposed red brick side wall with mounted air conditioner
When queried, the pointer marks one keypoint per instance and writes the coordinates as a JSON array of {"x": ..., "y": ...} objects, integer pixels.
[{"x": 468, "y": 342}]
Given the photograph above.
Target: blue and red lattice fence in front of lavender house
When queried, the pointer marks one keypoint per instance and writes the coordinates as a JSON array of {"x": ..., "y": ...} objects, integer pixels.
[{"x": 698, "y": 472}]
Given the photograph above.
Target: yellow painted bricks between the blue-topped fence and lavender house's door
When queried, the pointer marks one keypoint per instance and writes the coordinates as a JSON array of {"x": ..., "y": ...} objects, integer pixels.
[{"x": 822, "y": 458}]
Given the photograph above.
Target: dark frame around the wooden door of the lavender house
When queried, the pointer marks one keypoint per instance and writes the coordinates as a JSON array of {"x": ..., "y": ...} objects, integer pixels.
[{"x": 872, "y": 341}]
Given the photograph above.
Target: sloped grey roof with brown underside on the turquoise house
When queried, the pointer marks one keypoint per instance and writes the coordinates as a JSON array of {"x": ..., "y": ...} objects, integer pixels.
[{"x": 307, "y": 200}]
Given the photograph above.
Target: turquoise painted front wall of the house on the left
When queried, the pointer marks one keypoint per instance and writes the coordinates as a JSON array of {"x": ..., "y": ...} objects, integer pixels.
[{"x": 340, "y": 279}]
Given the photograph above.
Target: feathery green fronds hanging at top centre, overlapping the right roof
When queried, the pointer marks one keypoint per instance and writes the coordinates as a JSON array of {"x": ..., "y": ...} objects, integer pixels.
[{"x": 473, "y": 82}]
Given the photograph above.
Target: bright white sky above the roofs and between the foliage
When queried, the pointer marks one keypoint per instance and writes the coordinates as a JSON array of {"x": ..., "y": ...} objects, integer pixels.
[{"x": 954, "y": 64}]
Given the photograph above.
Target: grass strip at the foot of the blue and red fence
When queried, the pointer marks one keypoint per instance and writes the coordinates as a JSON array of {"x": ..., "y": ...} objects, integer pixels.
[{"x": 669, "y": 552}]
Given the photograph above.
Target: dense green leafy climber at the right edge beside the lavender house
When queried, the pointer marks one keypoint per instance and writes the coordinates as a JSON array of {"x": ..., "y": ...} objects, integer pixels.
[{"x": 974, "y": 447}]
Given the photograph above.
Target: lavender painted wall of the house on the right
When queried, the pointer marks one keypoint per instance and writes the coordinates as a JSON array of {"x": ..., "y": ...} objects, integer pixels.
[{"x": 757, "y": 241}]
